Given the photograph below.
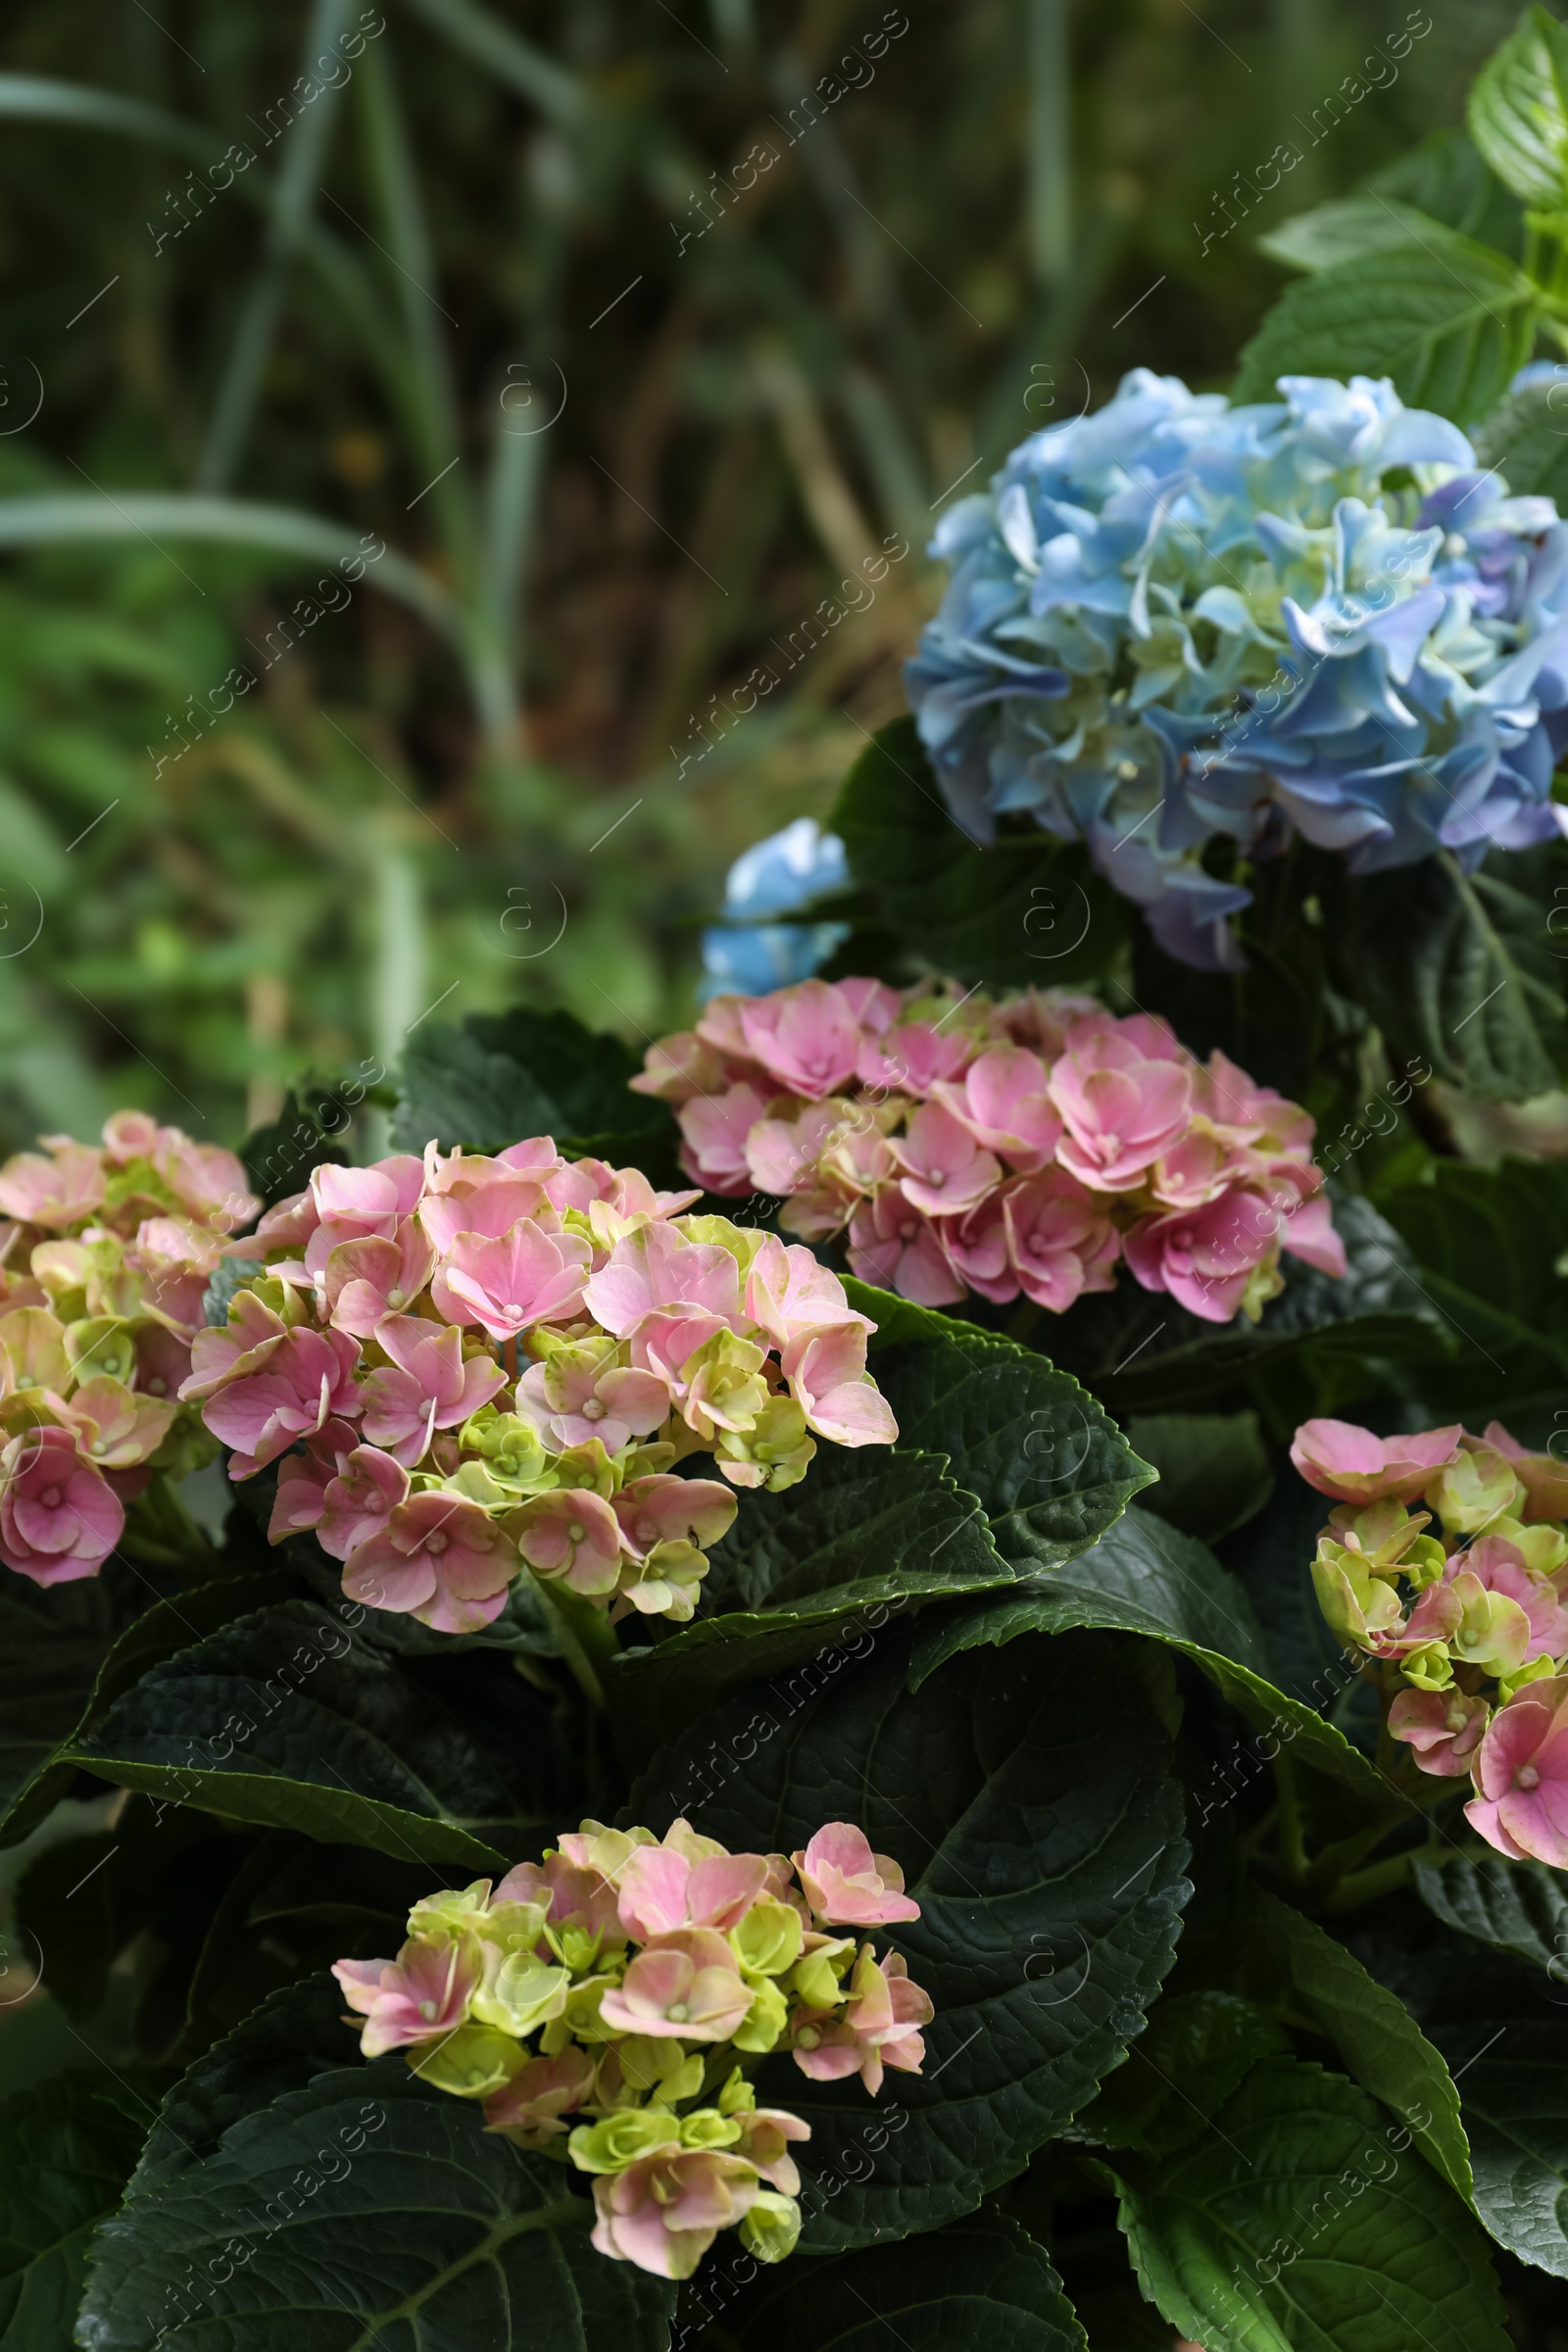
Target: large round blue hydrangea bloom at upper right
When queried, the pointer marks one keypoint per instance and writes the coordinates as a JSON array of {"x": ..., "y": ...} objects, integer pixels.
[{"x": 1179, "y": 620}]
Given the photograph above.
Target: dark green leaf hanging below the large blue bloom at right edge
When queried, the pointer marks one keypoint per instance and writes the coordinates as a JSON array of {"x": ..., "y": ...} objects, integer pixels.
[{"x": 1461, "y": 970}]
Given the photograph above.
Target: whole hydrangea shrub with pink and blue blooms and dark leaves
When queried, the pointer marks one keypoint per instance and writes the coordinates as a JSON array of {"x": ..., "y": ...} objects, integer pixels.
[{"x": 1036, "y": 1883}]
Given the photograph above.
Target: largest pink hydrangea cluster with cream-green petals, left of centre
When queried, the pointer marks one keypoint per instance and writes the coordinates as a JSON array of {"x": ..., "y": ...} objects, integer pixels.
[{"x": 481, "y": 1365}]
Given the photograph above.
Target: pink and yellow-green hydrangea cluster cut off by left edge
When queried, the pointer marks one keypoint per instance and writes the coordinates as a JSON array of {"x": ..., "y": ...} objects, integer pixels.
[{"x": 105, "y": 1259}]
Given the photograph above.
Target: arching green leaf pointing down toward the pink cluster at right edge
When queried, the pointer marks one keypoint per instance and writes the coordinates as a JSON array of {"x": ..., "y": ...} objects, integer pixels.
[{"x": 1151, "y": 1579}]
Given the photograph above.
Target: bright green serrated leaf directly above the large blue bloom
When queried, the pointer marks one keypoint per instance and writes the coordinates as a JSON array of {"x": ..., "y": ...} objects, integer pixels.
[{"x": 1447, "y": 319}]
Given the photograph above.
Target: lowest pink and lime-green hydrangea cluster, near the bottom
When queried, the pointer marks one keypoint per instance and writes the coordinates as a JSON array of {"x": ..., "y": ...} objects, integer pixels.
[{"x": 634, "y": 1984}]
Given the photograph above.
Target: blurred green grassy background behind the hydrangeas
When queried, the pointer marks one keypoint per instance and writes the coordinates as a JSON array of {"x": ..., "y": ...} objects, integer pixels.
[{"x": 523, "y": 302}]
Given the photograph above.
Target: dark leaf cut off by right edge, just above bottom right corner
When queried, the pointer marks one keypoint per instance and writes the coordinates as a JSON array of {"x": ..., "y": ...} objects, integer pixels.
[{"x": 1517, "y": 2120}]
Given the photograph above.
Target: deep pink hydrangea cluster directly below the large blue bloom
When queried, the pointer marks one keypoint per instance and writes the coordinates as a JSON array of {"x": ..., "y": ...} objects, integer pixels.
[{"x": 1000, "y": 1147}]
